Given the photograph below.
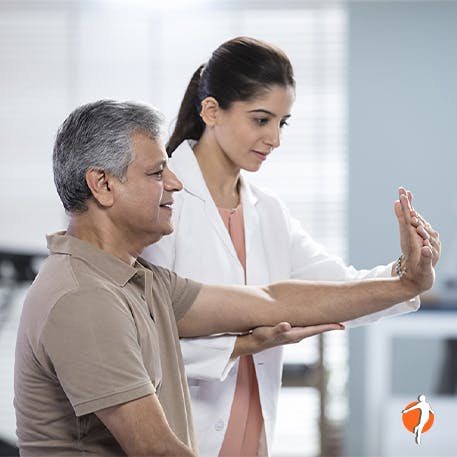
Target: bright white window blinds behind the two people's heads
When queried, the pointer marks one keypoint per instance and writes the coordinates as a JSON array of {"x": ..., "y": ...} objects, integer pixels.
[{"x": 56, "y": 55}]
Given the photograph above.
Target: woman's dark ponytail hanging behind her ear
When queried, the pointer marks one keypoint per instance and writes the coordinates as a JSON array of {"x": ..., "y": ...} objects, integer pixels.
[{"x": 189, "y": 125}]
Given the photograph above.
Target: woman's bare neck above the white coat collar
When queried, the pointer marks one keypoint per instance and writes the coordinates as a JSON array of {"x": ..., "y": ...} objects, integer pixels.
[{"x": 221, "y": 175}]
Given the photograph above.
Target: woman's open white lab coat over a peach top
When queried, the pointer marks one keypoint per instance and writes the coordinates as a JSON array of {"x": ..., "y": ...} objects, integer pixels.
[{"x": 277, "y": 248}]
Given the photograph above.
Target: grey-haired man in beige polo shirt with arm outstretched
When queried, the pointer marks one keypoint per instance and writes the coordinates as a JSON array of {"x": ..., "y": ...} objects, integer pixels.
[{"x": 98, "y": 366}]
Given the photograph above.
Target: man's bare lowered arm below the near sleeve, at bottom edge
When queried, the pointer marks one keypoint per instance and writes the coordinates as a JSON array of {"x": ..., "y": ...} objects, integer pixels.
[{"x": 141, "y": 428}]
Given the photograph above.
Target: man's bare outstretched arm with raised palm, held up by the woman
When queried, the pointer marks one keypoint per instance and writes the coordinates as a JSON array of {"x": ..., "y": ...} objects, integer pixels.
[{"x": 219, "y": 309}]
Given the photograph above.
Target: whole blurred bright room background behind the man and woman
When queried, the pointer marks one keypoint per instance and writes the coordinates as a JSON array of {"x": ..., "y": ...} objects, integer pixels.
[{"x": 376, "y": 108}]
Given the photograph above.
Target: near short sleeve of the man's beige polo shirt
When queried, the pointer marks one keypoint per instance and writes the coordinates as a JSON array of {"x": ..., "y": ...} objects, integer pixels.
[{"x": 92, "y": 342}]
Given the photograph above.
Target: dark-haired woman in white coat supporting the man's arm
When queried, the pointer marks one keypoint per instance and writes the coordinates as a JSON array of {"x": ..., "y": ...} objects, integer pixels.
[{"x": 229, "y": 231}]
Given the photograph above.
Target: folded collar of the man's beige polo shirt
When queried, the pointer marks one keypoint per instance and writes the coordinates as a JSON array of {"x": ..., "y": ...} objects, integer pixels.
[{"x": 113, "y": 268}]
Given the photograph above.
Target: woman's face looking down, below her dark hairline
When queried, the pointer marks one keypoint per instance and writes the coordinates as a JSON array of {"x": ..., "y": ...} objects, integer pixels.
[{"x": 248, "y": 131}]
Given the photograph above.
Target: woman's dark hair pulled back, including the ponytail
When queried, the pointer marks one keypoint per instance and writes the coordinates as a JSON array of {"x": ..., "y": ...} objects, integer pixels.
[{"x": 239, "y": 70}]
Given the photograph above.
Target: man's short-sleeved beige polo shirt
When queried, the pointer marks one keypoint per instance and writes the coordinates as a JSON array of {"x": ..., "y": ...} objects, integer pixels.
[{"x": 96, "y": 332}]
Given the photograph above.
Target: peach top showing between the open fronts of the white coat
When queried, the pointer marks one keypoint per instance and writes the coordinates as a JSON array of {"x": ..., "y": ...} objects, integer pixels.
[{"x": 245, "y": 424}]
